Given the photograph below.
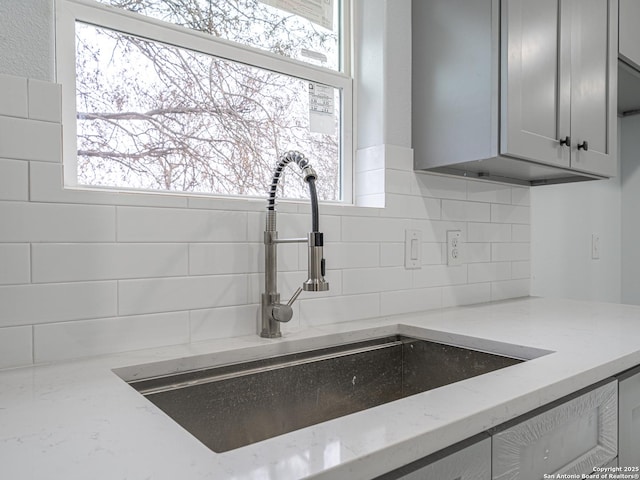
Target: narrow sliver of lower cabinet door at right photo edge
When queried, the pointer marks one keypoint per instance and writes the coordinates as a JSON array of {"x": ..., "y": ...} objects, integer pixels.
[{"x": 629, "y": 422}]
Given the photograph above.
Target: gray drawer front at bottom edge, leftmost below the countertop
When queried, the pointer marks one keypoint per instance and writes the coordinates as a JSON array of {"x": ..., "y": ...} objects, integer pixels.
[{"x": 470, "y": 463}]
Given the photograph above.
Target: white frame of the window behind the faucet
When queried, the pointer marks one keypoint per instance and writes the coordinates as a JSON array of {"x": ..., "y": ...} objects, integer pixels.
[{"x": 68, "y": 12}]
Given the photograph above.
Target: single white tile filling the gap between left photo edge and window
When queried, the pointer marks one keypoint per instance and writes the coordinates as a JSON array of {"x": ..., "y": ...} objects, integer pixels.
[{"x": 22, "y": 139}]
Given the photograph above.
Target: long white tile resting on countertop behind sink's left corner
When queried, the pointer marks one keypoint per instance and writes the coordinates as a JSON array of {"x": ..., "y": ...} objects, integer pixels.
[{"x": 66, "y": 340}]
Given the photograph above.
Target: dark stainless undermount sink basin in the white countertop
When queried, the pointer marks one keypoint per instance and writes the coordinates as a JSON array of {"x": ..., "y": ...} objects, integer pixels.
[{"x": 235, "y": 405}]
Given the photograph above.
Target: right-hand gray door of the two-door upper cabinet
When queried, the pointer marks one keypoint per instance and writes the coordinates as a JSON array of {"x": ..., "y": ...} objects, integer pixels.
[{"x": 594, "y": 69}]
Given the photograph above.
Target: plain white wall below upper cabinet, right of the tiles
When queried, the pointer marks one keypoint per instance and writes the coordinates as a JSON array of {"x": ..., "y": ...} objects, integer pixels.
[{"x": 563, "y": 219}]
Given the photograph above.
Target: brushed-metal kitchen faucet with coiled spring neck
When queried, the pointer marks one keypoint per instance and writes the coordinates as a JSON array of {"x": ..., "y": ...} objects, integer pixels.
[{"x": 274, "y": 312}]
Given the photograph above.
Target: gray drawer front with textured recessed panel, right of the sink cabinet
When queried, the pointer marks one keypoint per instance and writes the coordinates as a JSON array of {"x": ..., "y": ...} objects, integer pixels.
[{"x": 572, "y": 437}]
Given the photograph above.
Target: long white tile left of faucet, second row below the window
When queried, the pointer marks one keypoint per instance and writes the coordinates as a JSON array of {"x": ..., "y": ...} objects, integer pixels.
[{"x": 138, "y": 224}]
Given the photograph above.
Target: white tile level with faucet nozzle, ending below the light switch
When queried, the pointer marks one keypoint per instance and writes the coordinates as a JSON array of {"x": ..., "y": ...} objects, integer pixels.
[{"x": 368, "y": 280}]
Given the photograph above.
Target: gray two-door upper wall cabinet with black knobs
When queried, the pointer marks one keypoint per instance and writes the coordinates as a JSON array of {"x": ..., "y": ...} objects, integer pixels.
[{"x": 520, "y": 91}]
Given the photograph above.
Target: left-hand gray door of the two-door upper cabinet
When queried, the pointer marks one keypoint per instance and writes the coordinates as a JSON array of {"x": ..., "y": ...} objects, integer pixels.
[{"x": 533, "y": 89}]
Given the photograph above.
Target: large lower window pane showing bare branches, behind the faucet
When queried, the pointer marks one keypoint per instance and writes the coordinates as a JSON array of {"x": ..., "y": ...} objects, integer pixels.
[{"x": 155, "y": 116}]
